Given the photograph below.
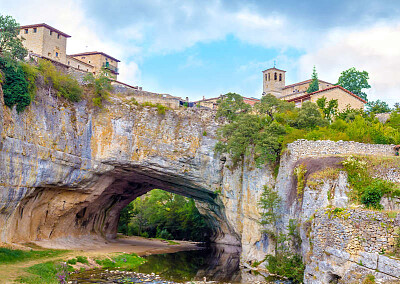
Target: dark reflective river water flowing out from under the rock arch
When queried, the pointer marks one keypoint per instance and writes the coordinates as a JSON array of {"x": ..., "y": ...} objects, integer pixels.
[{"x": 216, "y": 263}]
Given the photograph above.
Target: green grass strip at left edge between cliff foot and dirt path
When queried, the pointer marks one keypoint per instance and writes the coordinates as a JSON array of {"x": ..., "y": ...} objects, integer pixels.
[{"x": 11, "y": 256}]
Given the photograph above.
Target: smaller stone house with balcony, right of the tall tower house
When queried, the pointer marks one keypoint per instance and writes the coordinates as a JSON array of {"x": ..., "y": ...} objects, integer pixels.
[{"x": 99, "y": 60}]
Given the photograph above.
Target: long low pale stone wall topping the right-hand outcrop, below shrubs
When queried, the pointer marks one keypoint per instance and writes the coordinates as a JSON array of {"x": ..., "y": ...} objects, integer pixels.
[{"x": 304, "y": 147}]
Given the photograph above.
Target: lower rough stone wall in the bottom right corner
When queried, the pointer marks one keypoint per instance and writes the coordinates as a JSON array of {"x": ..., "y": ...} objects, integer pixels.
[{"x": 351, "y": 244}]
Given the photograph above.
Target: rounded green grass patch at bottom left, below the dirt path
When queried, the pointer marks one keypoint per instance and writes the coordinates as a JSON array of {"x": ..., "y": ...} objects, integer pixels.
[{"x": 48, "y": 272}]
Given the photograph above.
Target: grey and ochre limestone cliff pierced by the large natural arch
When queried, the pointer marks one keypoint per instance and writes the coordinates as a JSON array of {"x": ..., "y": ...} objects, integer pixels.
[{"x": 68, "y": 169}]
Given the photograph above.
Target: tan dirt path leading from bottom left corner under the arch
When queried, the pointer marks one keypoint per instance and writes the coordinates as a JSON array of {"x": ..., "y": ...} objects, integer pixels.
[{"x": 91, "y": 247}]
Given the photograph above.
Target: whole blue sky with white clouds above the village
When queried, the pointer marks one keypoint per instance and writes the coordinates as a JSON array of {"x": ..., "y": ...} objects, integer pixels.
[{"x": 211, "y": 47}]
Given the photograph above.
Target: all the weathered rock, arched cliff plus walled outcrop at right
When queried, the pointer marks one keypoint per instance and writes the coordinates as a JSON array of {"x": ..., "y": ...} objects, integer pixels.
[{"x": 68, "y": 169}]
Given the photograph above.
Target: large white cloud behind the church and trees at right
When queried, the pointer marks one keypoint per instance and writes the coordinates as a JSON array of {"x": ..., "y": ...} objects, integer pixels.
[{"x": 374, "y": 49}]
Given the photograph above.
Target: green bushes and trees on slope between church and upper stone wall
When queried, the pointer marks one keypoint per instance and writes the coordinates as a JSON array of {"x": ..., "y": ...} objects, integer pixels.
[{"x": 264, "y": 129}]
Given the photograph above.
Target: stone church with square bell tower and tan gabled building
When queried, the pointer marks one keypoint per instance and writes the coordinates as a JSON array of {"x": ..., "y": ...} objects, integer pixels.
[{"x": 274, "y": 83}]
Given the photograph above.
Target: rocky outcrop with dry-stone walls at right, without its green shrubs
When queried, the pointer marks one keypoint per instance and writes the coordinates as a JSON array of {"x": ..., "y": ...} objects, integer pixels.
[{"x": 346, "y": 246}]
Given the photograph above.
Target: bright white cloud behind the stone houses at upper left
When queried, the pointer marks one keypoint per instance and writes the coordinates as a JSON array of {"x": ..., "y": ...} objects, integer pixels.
[{"x": 69, "y": 17}]
